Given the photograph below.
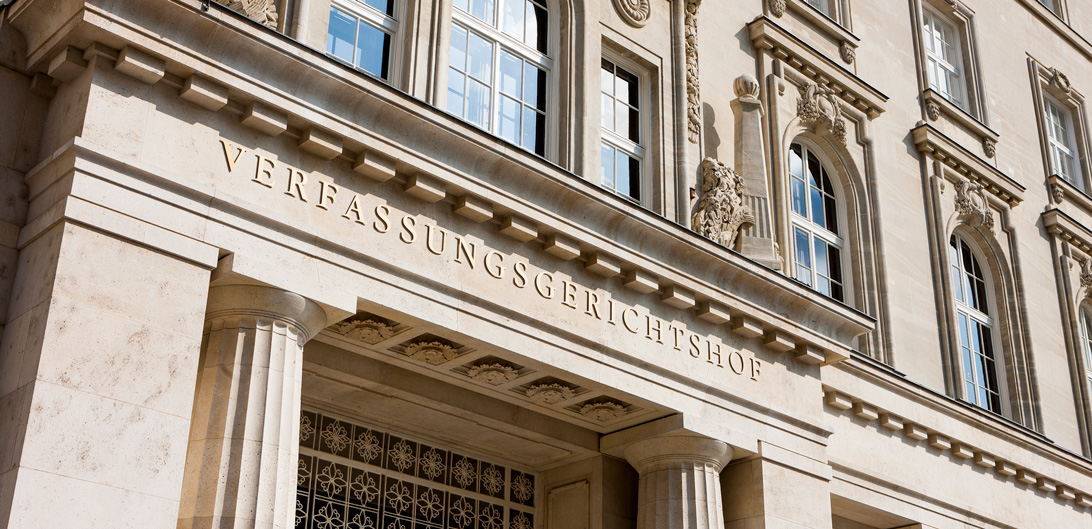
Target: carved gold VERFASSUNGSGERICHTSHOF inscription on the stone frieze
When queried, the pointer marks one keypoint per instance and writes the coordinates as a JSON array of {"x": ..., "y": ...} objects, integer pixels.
[{"x": 508, "y": 271}]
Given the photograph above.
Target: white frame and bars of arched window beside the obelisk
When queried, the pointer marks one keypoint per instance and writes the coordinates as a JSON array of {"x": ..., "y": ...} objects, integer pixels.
[{"x": 814, "y": 231}]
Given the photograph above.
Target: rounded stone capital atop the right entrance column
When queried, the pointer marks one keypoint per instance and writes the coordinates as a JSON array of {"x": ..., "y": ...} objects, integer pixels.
[{"x": 661, "y": 452}]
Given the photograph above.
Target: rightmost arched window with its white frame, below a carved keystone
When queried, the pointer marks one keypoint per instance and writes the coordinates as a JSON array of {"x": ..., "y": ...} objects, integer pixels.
[{"x": 981, "y": 359}]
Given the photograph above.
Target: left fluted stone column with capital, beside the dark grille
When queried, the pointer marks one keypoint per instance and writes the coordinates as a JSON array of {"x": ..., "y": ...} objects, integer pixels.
[{"x": 241, "y": 468}]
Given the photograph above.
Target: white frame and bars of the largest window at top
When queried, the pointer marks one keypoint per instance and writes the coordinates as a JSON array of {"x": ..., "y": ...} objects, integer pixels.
[{"x": 455, "y": 16}]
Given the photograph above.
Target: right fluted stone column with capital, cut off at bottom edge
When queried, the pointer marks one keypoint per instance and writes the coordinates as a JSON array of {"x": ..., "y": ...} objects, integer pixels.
[{"x": 681, "y": 481}]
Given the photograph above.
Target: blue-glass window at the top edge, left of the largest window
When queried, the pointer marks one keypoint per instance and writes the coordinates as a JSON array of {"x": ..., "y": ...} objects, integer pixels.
[{"x": 361, "y": 34}]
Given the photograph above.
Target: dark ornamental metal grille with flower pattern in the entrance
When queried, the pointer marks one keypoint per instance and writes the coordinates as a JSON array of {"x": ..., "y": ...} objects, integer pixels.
[{"x": 359, "y": 477}]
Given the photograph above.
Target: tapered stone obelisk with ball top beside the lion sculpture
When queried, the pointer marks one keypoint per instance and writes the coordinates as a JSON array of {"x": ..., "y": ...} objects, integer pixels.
[{"x": 756, "y": 241}]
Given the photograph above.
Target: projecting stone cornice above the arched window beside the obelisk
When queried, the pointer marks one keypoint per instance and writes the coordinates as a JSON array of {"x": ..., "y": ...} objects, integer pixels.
[{"x": 766, "y": 34}]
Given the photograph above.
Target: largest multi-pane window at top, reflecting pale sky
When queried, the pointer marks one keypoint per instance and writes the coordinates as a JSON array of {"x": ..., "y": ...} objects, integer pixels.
[{"x": 498, "y": 69}]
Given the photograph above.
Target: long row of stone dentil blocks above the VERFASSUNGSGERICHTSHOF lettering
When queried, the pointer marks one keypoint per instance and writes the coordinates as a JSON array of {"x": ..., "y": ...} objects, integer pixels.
[{"x": 747, "y": 322}]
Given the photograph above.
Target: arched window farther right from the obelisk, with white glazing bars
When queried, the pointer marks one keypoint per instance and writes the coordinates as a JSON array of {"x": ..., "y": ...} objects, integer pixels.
[{"x": 979, "y": 358}]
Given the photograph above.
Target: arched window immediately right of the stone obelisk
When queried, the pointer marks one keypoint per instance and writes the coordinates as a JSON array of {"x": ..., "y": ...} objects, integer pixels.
[{"x": 817, "y": 239}]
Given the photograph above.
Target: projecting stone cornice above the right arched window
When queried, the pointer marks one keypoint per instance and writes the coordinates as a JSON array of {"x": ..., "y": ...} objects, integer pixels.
[{"x": 930, "y": 140}]
